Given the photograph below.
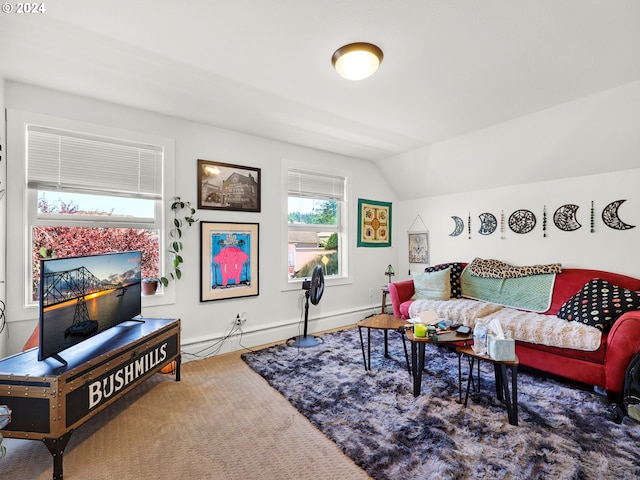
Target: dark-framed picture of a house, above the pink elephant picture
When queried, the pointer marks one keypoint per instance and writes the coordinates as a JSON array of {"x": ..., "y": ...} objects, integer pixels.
[{"x": 223, "y": 186}]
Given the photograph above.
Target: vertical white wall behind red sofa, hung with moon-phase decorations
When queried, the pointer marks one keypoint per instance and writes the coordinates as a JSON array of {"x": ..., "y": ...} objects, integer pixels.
[{"x": 605, "y": 249}]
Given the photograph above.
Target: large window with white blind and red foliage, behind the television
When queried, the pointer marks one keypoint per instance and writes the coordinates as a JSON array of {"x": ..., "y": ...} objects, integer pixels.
[{"x": 90, "y": 194}]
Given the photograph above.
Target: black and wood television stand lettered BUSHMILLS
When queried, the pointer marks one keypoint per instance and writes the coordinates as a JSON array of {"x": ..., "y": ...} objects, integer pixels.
[{"x": 49, "y": 402}]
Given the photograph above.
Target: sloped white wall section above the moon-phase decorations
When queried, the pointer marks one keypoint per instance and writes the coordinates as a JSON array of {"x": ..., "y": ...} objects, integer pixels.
[{"x": 593, "y": 135}]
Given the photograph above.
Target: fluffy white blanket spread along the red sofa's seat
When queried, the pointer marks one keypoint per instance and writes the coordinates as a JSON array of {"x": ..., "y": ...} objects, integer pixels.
[{"x": 520, "y": 325}]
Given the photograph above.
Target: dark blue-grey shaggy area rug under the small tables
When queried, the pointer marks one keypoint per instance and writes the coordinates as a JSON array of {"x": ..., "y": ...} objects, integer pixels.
[{"x": 563, "y": 432}]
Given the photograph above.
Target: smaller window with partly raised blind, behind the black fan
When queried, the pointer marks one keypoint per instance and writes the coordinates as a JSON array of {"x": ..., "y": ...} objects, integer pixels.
[{"x": 316, "y": 224}]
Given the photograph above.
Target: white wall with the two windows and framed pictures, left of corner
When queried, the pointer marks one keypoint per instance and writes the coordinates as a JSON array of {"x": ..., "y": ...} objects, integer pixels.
[{"x": 275, "y": 314}]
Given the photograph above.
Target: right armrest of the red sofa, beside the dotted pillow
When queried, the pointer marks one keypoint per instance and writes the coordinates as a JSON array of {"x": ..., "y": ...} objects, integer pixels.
[{"x": 623, "y": 343}]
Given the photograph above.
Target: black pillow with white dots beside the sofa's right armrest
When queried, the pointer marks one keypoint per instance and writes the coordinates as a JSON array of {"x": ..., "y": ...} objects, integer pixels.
[{"x": 599, "y": 304}]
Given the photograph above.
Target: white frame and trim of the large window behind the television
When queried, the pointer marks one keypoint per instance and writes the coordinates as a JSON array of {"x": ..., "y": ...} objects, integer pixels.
[{"x": 24, "y": 213}]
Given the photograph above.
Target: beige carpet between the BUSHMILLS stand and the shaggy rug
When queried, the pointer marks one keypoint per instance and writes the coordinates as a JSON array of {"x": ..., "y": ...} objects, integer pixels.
[{"x": 221, "y": 421}]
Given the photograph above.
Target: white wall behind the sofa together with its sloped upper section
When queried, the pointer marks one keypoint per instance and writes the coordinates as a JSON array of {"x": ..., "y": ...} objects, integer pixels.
[{"x": 575, "y": 153}]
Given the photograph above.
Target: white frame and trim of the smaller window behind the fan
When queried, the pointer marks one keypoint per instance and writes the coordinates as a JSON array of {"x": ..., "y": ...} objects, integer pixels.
[{"x": 345, "y": 220}]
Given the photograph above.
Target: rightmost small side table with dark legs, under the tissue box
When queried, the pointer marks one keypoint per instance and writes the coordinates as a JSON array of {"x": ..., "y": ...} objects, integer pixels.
[{"x": 502, "y": 383}]
